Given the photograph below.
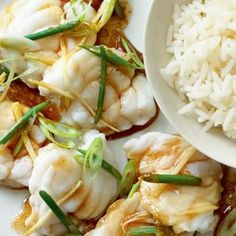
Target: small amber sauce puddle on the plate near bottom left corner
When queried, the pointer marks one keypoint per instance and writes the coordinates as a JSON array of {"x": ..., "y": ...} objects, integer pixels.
[{"x": 19, "y": 221}]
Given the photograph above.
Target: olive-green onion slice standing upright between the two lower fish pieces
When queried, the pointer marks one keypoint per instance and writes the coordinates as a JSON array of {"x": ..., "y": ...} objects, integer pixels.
[{"x": 129, "y": 178}]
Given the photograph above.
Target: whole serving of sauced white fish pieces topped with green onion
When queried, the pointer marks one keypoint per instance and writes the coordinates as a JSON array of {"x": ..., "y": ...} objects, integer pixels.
[{"x": 70, "y": 82}]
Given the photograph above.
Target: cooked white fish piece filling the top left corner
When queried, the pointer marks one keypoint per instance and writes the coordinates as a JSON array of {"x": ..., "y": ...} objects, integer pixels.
[{"x": 41, "y": 15}]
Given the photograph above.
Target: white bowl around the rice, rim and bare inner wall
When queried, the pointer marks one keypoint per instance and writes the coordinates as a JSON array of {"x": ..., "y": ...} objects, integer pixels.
[{"x": 212, "y": 143}]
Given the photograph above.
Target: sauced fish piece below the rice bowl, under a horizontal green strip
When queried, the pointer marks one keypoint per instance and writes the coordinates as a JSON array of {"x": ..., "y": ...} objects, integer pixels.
[{"x": 184, "y": 208}]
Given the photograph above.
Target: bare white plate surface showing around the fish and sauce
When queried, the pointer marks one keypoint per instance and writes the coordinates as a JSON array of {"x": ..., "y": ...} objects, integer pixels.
[{"x": 11, "y": 200}]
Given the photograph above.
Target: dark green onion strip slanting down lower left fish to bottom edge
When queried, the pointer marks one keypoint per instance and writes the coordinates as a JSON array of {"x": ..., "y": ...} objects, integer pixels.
[{"x": 65, "y": 220}]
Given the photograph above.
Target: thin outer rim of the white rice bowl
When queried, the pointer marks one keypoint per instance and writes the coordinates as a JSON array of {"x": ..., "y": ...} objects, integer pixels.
[{"x": 163, "y": 108}]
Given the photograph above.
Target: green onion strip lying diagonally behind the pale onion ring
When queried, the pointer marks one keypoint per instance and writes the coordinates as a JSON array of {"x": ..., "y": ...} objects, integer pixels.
[{"x": 105, "y": 165}]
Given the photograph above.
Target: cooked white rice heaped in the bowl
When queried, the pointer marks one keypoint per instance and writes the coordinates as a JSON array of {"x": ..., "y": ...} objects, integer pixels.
[{"x": 202, "y": 42}]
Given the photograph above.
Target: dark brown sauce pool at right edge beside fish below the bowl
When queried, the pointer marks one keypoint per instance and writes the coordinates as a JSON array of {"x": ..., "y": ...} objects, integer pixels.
[{"x": 228, "y": 201}]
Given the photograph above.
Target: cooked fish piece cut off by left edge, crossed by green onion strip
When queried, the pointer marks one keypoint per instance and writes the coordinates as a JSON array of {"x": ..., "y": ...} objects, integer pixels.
[{"x": 15, "y": 171}]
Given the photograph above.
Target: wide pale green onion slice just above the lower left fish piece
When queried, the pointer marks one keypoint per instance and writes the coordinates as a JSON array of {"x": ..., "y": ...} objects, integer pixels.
[{"x": 59, "y": 129}]
